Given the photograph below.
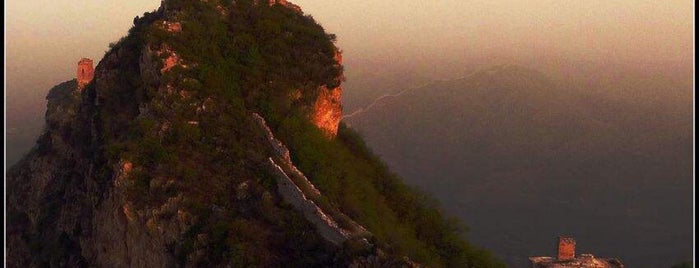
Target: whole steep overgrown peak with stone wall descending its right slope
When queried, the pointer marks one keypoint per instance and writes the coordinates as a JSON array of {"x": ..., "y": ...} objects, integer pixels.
[{"x": 159, "y": 161}]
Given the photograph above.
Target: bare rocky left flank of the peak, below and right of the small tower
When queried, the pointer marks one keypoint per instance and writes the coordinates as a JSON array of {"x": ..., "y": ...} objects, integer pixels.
[{"x": 68, "y": 206}]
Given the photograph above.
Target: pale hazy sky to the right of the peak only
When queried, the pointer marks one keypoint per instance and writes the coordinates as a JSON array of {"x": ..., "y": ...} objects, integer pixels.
[{"x": 601, "y": 28}]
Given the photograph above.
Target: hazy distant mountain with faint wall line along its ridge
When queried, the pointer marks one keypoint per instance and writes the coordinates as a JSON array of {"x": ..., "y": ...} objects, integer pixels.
[{"x": 523, "y": 158}]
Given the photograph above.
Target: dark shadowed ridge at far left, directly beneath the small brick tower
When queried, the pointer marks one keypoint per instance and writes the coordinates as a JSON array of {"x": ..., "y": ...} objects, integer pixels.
[{"x": 62, "y": 166}]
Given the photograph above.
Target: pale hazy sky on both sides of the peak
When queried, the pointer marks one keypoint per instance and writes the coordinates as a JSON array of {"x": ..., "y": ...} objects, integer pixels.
[{"x": 46, "y": 38}]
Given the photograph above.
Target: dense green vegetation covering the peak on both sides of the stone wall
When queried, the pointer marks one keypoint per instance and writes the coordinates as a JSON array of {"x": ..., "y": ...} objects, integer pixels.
[{"x": 201, "y": 143}]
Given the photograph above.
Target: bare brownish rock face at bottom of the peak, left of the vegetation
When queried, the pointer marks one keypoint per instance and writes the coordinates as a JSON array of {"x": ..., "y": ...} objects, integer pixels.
[{"x": 117, "y": 234}]
